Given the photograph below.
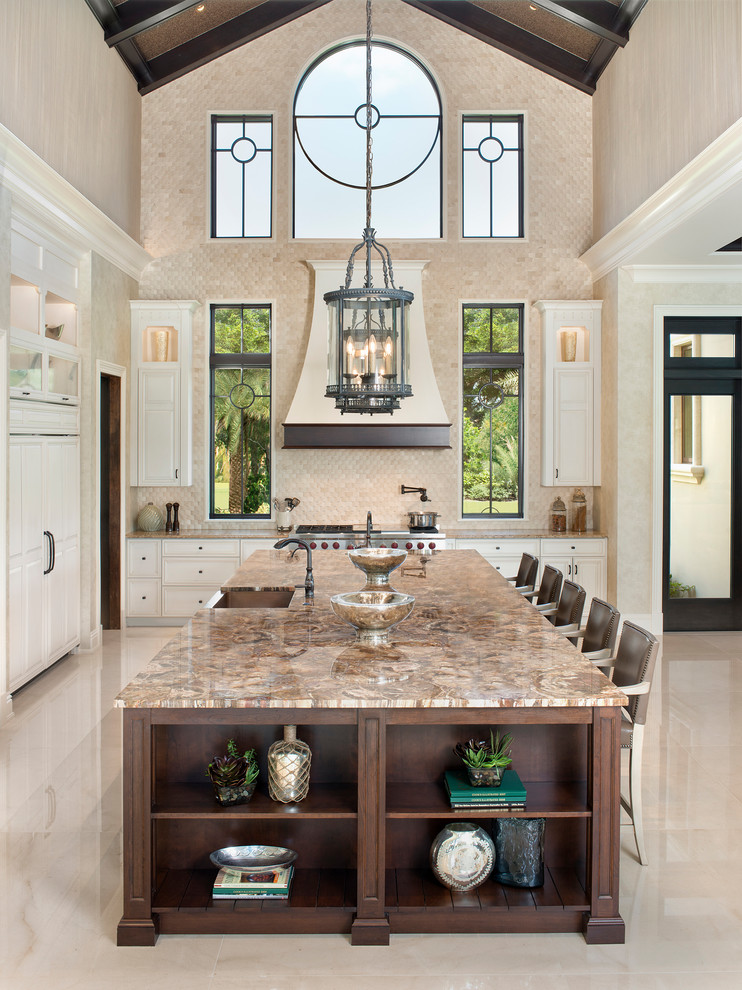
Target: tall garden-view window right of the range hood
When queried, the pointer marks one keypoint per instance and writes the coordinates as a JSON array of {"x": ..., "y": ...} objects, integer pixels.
[{"x": 492, "y": 440}]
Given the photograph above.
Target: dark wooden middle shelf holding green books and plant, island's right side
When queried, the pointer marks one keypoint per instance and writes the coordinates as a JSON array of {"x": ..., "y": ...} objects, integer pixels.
[{"x": 549, "y": 799}]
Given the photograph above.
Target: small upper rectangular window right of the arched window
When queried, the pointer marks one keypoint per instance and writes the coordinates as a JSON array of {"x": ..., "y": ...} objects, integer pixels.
[{"x": 492, "y": 171}]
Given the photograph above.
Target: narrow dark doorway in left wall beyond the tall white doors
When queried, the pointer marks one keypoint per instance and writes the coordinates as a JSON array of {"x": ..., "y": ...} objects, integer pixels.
[{"x": 109, "y": 484}]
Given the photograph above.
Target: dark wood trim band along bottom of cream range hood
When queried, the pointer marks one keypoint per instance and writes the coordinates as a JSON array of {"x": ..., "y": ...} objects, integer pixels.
[{"x": 317, "y": 435}]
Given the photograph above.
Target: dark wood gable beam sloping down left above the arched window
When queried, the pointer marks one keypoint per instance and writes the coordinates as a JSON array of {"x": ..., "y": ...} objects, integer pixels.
[{"x": 232, "y": 34}]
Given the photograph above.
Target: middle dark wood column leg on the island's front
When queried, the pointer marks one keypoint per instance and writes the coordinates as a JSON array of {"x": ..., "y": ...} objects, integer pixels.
[{"x": 371, "y": 924}]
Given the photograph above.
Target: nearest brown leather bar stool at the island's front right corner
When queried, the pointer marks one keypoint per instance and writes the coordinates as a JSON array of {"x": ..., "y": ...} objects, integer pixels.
[{"x": 631, "y": 670}]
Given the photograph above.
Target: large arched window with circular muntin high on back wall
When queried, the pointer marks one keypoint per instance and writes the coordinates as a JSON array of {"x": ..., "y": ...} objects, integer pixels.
[{"x": 330, "y": 146}]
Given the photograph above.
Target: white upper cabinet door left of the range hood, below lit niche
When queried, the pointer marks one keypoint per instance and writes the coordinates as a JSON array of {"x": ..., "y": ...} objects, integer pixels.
[{"x": 159, "y": 427}]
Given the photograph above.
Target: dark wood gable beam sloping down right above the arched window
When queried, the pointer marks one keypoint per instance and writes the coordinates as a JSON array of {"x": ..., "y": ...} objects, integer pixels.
[{"x": 510, "y": 39}]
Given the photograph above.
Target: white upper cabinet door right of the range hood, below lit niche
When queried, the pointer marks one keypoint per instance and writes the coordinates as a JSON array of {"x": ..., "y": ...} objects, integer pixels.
[{"x": 573, "y": 426}]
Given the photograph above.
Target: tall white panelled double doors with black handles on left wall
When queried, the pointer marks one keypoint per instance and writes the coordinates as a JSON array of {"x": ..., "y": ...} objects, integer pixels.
[{"x": 44, "y": 553}]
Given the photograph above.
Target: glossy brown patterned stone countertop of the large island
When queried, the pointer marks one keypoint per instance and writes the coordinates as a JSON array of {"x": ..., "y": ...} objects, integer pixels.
[{"x": 470, "y": 641}]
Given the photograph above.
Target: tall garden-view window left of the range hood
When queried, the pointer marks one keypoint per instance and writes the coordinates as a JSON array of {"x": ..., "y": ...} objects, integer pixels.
[{"x": 240, "y": 373}]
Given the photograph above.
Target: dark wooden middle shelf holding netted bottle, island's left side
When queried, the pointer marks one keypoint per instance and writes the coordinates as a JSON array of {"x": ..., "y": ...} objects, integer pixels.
[{"x": 197, "y": 801}]
